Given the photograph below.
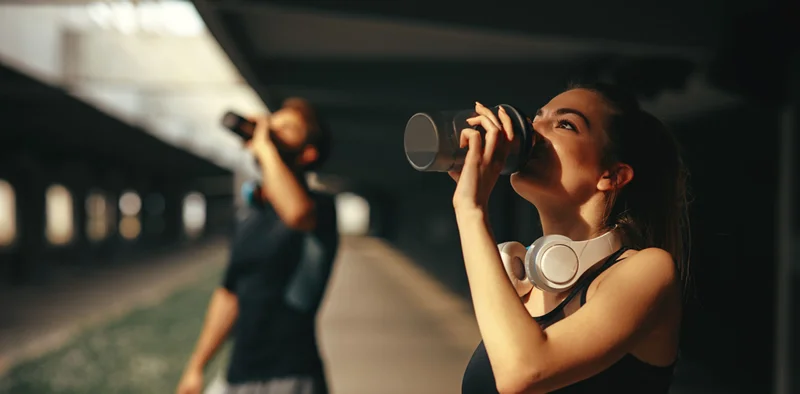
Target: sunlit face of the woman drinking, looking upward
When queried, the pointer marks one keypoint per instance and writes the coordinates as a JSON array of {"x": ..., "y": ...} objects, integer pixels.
[{"x": 567, "y": 168}]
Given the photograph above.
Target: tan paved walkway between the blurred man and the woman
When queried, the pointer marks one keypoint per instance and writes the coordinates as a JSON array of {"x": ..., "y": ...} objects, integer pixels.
[{"x": 387, "y": 327}]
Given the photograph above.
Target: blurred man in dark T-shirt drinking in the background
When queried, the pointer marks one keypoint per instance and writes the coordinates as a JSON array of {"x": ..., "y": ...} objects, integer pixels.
[{"x": 281, "y": 258}]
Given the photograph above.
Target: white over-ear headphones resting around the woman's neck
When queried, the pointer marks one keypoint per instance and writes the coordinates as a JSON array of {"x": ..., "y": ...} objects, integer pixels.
[{"x": 554, "y": 263}]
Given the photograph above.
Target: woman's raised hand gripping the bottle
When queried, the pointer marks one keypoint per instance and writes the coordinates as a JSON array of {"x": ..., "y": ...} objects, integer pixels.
[{"x": 486, "y": 156}]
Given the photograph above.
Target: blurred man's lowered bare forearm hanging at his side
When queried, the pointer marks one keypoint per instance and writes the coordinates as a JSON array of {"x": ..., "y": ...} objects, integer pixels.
[{"x": 222, "y": 312}]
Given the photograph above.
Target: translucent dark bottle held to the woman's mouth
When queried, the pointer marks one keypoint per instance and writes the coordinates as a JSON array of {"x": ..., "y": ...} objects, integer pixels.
[{"x": 432, "y": 139}]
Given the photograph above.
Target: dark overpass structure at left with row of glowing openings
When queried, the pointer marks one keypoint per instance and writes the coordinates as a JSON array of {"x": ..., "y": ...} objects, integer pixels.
[{"x": 81, "y": 187}]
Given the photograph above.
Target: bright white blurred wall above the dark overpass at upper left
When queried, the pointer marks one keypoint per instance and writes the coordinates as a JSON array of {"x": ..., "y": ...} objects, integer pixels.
[{"x": 153, "y": 65}]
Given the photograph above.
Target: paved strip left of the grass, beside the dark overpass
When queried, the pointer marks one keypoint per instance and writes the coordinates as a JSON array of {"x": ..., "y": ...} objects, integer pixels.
[{"x": 40, "y": 319}]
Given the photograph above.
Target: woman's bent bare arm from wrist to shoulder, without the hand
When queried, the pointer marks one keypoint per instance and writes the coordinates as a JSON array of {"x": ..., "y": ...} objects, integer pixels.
[{"x": 526, "y": 359}]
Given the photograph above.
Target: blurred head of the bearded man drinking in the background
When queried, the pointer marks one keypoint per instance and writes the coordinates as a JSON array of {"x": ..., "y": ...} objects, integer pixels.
[{"x": 299, "y": 134}]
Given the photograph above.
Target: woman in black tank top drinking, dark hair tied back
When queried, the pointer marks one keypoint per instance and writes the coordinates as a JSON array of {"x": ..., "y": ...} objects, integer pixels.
[{"x": 602, "y": 164}]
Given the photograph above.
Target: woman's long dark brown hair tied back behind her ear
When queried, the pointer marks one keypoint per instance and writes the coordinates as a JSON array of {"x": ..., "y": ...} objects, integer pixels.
[{"x": 652, "y": 209}]
